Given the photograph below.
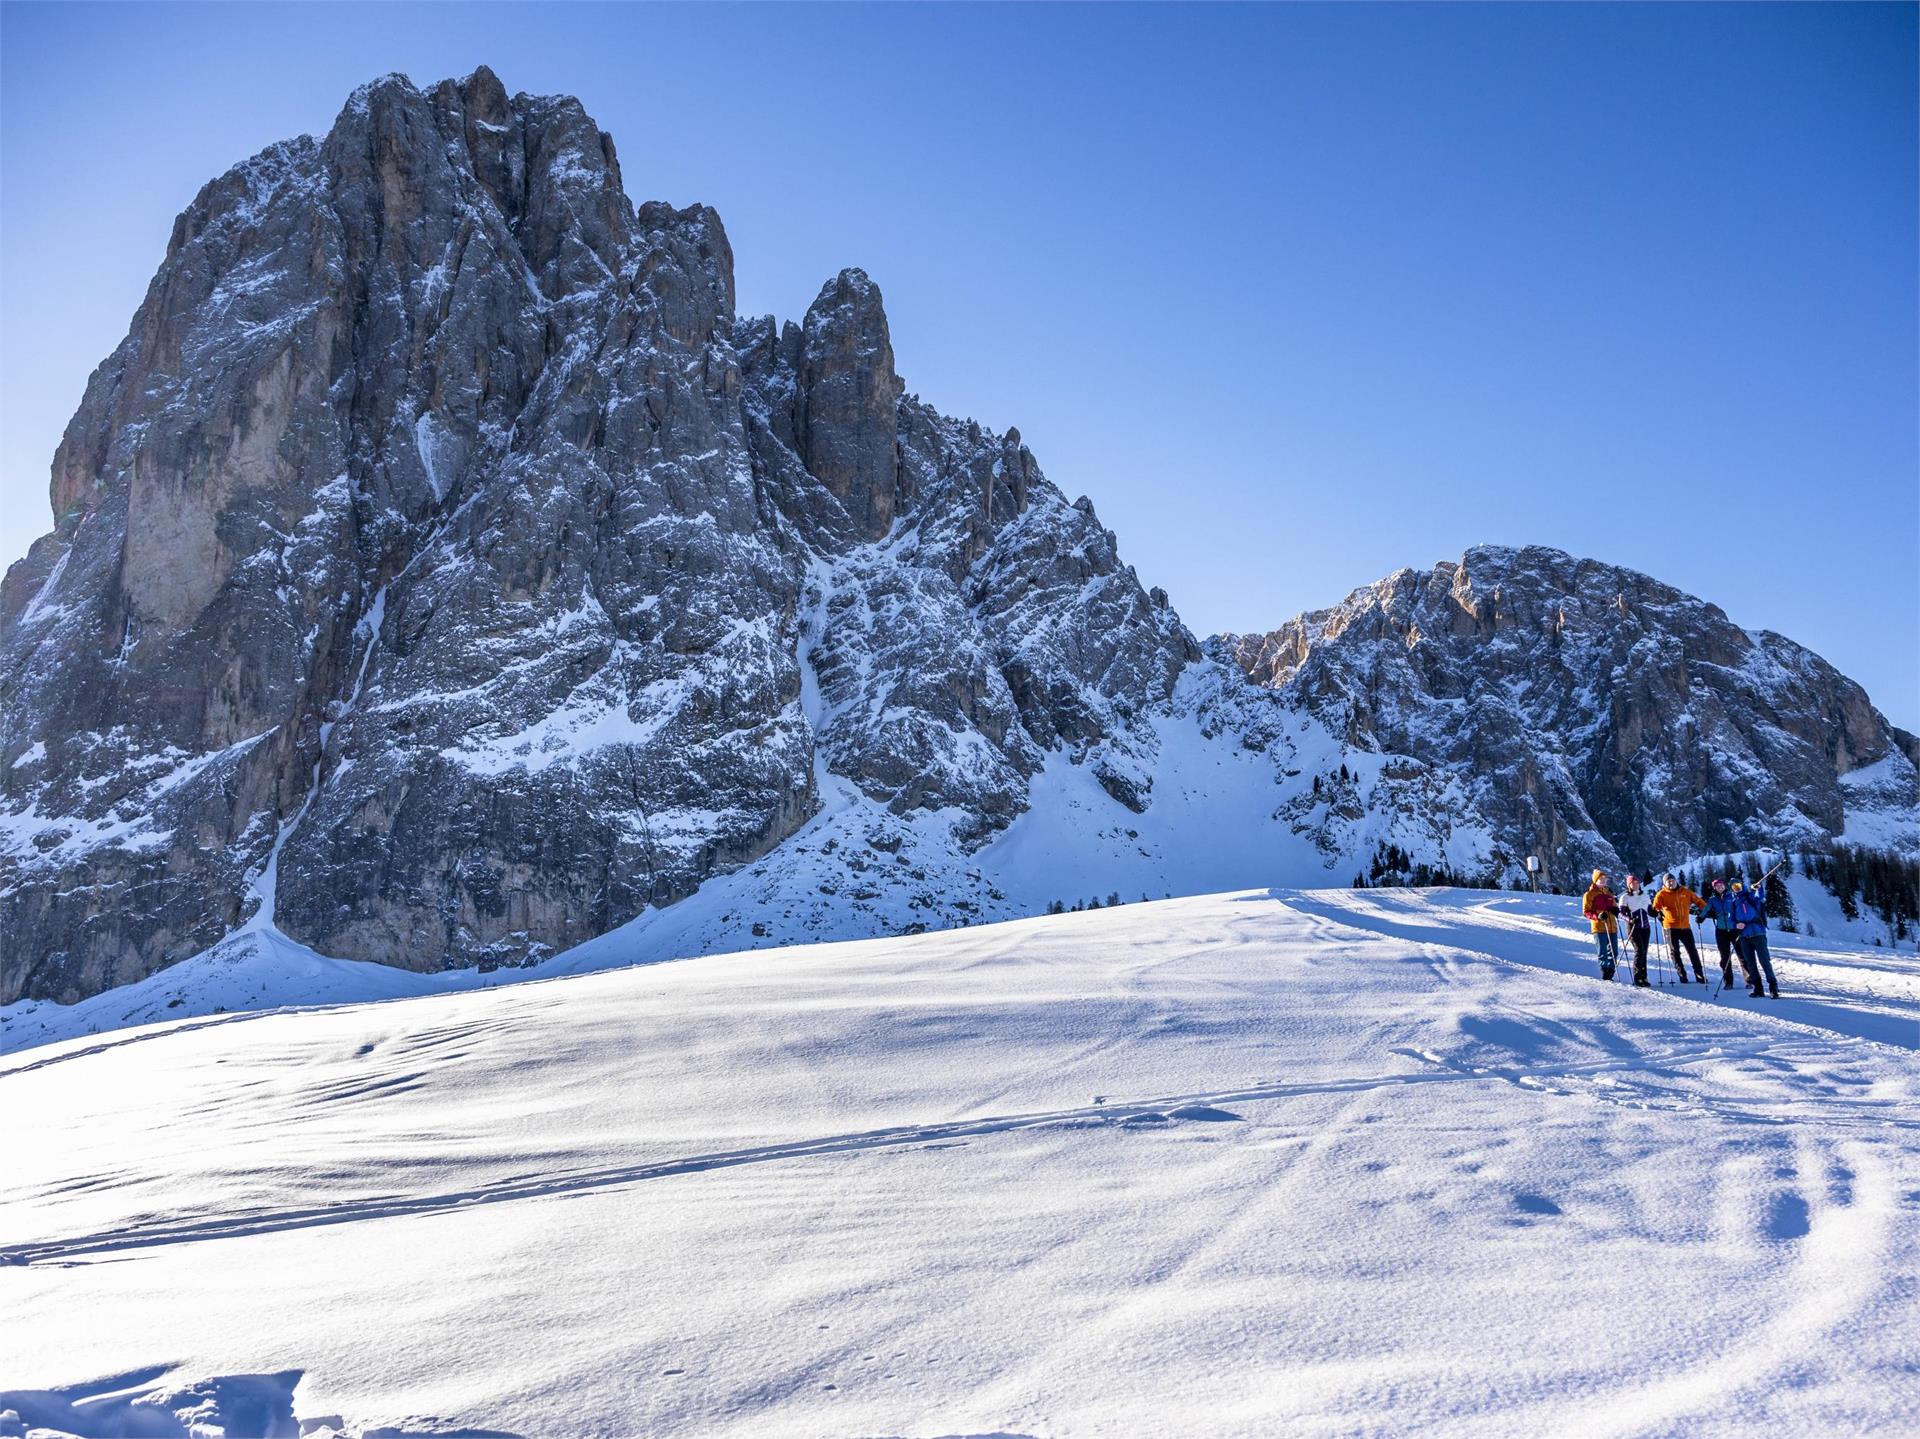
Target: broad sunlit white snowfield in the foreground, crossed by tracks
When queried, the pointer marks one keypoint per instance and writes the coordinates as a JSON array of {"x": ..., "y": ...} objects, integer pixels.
[{"x": 1303, "y": 1163}]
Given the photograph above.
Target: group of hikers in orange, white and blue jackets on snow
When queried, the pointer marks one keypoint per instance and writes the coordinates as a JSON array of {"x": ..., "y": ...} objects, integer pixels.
[{"x": 1739, "y": 914}]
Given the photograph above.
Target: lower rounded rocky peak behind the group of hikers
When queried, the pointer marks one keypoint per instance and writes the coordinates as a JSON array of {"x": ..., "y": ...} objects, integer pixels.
[{"x": 1596, "y": 716}]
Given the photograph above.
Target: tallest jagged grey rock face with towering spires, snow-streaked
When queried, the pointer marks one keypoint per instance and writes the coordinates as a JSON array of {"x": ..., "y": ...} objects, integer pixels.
[{"x": 437, "y": 558}]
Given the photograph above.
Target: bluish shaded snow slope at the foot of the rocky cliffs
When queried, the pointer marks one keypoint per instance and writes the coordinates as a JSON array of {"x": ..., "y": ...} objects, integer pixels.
[{"x": 1226, "y": 814}]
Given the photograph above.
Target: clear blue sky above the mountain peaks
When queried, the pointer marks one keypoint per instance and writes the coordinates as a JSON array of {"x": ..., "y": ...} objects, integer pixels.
[{"x": 1297, "y": 295}]
